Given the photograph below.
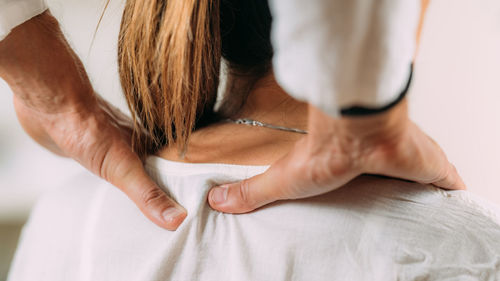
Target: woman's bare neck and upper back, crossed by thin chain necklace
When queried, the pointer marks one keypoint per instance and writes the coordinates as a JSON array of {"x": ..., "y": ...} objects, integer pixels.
[{"x": 239, "y": 144}]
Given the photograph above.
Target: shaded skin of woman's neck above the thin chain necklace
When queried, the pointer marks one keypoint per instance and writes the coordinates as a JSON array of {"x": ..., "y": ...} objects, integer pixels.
[{"x": 267, "y": 102}]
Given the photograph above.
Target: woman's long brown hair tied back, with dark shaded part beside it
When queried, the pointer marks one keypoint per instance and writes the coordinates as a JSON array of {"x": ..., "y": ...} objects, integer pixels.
[{"x": 169, "y": 57}]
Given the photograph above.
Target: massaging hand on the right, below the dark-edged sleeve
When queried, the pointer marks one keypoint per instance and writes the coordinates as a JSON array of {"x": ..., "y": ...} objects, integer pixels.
[{"x": 337, "y": 150}]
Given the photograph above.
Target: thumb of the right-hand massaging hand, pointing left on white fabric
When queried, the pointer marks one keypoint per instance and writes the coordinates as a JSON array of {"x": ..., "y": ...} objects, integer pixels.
[{"x": 249, "y": 194}]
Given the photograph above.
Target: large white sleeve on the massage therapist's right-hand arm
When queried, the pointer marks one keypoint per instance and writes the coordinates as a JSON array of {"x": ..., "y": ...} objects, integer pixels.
[{"x": 336, "y": 53}]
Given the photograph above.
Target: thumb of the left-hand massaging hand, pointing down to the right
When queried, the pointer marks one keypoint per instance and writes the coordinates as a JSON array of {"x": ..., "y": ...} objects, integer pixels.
[{"x": 129, "y": 175}]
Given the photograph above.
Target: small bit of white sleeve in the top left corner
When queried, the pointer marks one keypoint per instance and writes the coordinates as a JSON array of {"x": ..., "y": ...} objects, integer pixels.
[{"x": 16, "y": 12}]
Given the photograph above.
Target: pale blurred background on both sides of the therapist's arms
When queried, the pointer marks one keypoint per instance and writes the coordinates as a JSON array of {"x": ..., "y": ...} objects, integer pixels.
[{"x": 455, "y": 98}]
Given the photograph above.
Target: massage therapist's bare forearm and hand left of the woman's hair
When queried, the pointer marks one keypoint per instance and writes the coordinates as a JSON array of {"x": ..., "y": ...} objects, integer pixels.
[{"x": 57, "y": 106}]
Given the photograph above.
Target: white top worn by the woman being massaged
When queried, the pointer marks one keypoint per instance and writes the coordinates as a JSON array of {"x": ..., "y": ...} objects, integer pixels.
[{"x": 372, "y": 229}]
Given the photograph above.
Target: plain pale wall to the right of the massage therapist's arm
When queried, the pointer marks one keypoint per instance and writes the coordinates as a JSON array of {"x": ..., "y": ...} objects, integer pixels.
[{"x": 456, "y": 95}]
